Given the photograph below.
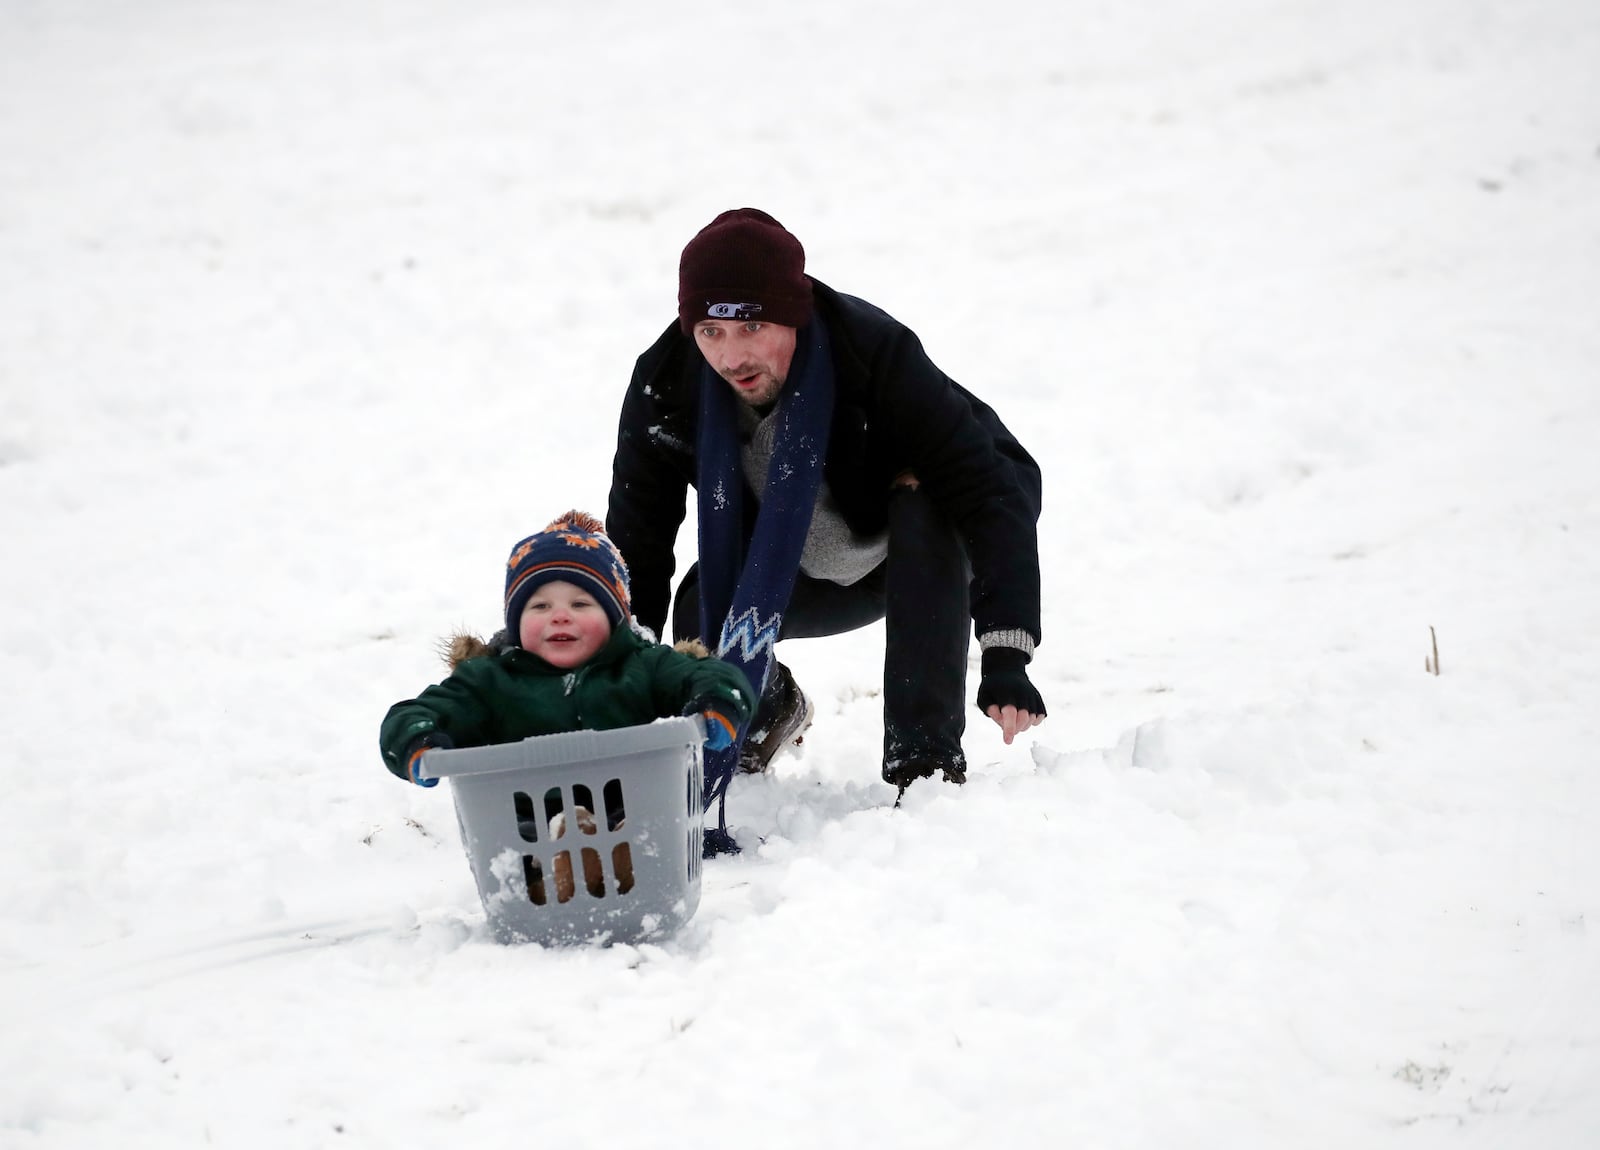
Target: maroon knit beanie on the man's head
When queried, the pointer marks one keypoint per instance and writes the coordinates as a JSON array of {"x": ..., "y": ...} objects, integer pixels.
[{"x": 743, "y": 266}]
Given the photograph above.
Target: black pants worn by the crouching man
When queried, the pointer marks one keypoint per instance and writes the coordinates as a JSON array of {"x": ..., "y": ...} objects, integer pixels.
[{"x": 921, "y": 593}]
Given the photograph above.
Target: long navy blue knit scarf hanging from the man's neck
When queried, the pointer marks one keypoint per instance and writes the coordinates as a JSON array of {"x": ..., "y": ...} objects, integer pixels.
[{"x": 745, "y": 594}]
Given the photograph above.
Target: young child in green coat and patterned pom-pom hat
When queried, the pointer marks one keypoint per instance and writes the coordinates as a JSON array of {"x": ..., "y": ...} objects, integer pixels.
[{"x": 569, "y": 660}]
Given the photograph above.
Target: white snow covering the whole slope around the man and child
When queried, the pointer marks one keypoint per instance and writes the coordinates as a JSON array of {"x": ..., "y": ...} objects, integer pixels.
[{"x": 313, "y": 309}]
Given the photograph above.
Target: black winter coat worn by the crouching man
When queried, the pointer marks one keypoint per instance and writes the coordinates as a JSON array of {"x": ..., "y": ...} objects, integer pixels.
[{"x": 894, "y": 412}]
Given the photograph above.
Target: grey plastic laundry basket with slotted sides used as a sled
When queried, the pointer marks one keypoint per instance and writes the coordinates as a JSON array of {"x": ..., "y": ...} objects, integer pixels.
[{"x": 625, "y": 869}]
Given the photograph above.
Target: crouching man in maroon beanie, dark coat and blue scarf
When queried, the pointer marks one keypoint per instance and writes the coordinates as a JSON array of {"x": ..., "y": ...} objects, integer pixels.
[{"x": 842, "y": 479}]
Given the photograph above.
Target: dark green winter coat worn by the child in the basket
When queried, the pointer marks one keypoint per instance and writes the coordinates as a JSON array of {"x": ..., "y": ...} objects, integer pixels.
[{"x": 510, "y": 695}]
